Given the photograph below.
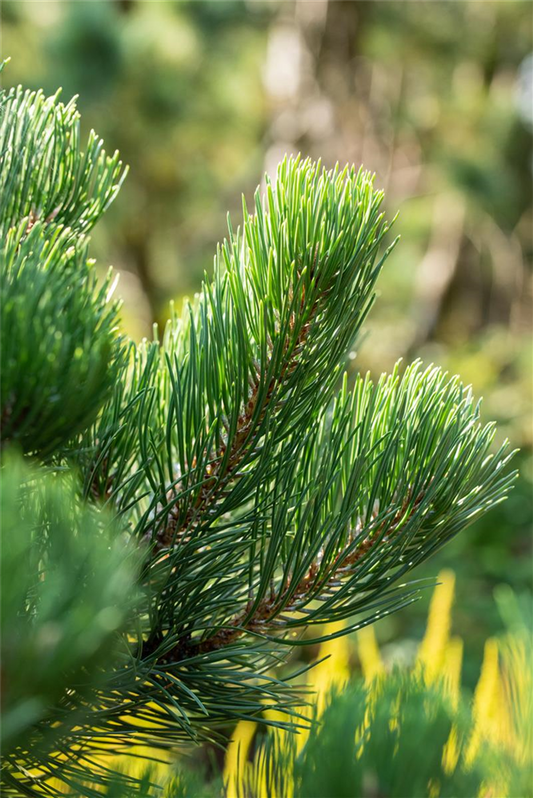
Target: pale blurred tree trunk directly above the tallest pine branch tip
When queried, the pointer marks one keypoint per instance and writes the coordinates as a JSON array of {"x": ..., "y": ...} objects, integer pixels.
[{"x": 311, "y": 80}]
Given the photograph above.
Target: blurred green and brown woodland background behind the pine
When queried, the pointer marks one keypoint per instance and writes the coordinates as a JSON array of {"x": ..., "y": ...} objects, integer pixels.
[{"x": 202, "y": 96}]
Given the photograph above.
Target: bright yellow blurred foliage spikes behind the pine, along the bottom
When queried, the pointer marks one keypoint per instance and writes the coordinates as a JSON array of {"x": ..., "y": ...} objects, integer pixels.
[{"x": 502, "y": 706}]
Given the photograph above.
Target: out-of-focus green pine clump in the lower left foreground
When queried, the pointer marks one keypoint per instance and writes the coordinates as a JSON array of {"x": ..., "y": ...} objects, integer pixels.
[{"x": 68, "y": 585}]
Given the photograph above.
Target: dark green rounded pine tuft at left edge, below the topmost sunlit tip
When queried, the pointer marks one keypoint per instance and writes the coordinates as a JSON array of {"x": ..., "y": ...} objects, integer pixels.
[{"x": 60, "y": 349}]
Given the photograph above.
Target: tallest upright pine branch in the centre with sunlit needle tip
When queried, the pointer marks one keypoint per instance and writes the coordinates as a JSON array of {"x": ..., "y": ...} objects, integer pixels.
[{"x": 260, "y": 355}]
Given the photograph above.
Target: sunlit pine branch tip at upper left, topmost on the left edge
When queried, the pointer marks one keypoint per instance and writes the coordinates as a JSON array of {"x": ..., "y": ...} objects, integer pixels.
[{"x": 44, "y": 175}]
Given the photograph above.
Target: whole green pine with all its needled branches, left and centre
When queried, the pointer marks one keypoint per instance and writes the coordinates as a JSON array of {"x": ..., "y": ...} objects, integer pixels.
[{"x": 176, "y": 514}]
